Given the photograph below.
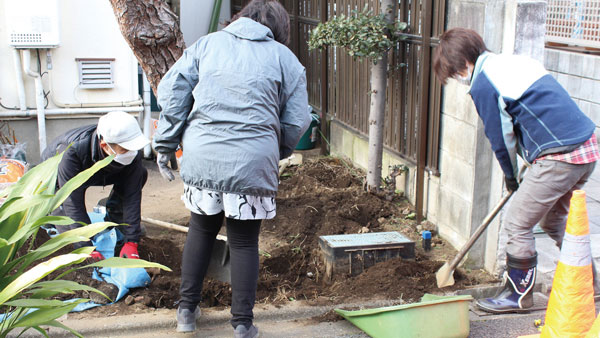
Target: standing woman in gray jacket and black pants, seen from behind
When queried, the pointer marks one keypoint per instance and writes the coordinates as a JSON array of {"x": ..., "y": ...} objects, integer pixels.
[{"x": 237, "y": 102}]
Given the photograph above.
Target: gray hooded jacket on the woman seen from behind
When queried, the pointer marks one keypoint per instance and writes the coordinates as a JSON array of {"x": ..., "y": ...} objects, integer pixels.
[{"x": 237, "y": 101}]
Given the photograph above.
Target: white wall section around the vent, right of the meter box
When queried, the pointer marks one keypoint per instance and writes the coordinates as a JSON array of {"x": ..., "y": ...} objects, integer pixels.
[{"x": 89, "y": 29}]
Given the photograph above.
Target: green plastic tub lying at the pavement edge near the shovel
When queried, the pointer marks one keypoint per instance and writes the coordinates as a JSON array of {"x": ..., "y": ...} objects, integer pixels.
[{"x": 434, "y": 316}]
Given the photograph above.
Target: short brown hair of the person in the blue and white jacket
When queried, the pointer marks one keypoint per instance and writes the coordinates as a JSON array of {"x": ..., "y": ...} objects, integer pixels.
[{"x": 457, "y": 47}]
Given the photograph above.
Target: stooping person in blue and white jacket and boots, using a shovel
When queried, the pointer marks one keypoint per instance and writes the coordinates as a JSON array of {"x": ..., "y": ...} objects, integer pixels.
[{"x": 525, "y": 112}]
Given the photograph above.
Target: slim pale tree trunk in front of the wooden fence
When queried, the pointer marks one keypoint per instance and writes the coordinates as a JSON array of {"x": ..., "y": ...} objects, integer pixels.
[{"x": 377, "y": 109}]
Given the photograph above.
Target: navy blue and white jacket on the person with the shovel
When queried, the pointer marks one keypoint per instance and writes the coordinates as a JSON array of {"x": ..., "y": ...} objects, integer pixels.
[{"x": 525, "y": 110}]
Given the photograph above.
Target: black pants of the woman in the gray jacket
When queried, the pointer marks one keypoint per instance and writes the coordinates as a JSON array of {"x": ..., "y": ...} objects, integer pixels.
[{"x": 242, "y": 237}]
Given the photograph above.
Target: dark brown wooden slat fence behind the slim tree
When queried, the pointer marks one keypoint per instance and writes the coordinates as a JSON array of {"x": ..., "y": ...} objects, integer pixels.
[{"x": 341, "y": 84}]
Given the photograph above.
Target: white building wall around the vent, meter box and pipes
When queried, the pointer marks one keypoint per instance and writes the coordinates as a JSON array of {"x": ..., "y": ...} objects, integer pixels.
[{"x": 88, "y": 29}]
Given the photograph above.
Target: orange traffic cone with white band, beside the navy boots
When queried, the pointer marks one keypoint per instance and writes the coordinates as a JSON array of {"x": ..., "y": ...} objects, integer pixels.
[{"x": 571, "y": 310}]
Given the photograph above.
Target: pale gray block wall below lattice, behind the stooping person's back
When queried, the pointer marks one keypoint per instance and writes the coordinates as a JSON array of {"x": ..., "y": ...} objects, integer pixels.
[{"x": 579, "y": 74}]
